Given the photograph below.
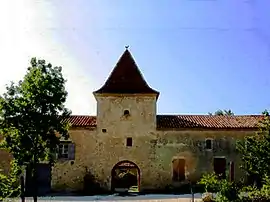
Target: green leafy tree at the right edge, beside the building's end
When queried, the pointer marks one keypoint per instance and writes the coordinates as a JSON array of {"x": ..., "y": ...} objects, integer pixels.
[{"x": 255, "y": 152}]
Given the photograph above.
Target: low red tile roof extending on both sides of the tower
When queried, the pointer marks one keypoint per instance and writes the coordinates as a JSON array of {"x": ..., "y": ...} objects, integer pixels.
[{"x": 186, "y": 121}]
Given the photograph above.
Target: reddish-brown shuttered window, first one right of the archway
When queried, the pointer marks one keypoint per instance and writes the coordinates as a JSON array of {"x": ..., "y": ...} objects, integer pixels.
[{"x": 178, "y": 170}]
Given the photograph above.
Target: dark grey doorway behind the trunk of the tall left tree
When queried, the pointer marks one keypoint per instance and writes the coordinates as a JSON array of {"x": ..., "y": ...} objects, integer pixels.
[{"x": 43, "y": 180}]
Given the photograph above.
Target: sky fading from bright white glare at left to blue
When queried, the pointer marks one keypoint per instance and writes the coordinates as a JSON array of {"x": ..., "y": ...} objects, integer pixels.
[{"x": 201, "y": 55}]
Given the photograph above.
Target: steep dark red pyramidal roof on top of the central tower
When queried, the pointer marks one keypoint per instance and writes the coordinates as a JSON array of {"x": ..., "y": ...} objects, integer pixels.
[{"x": 126, "y": 78}]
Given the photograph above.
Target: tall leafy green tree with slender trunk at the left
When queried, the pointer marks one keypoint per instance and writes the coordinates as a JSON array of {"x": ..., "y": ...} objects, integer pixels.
[{"x": 31, "y": 112}]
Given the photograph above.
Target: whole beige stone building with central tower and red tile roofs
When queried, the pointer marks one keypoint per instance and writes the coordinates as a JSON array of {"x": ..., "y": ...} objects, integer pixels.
[{"x": 127, "y": 144}]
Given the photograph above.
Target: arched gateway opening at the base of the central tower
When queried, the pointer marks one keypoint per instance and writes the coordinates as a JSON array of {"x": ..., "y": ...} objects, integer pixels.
[{"x": 125, "y": 174}]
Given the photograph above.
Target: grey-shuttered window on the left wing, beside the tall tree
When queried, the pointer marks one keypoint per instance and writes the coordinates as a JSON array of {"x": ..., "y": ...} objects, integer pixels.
[{"x": 66, "y": 151}]
